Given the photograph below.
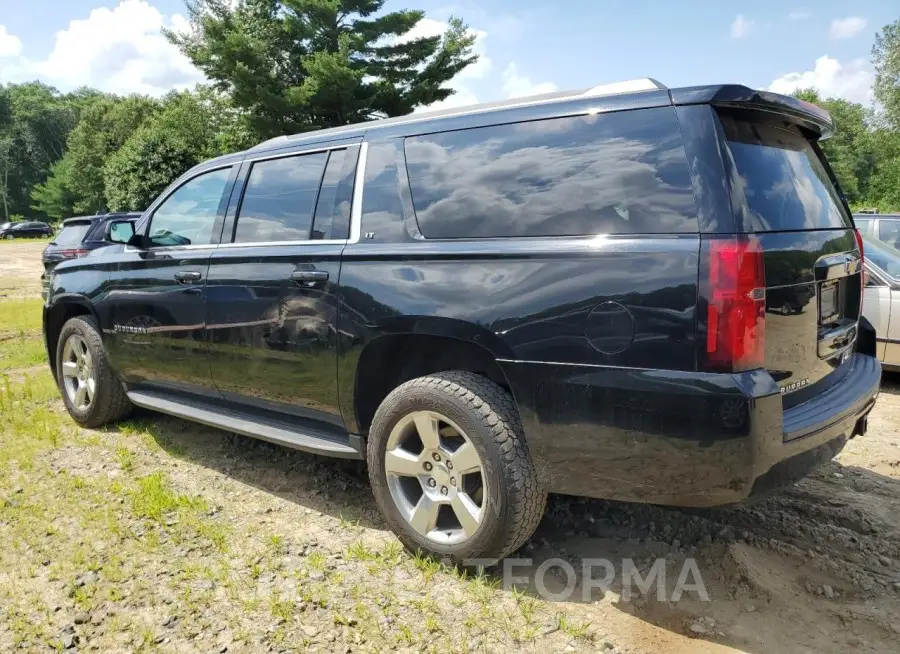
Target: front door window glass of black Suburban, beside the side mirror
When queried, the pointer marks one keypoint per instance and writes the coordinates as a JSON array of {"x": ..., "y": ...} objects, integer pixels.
[{"x": 187, "y": 216}]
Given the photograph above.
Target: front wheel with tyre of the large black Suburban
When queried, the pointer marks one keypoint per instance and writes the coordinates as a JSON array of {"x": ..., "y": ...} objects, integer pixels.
[{"x": 91, "y": 391}]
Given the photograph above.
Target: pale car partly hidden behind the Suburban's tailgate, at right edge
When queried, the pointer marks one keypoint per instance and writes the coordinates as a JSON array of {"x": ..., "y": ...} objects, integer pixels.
[{"x": 882, "y": 303}]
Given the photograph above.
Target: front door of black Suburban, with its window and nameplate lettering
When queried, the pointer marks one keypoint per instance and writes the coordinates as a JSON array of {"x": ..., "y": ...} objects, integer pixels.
[{"x": 154, "y": 312}]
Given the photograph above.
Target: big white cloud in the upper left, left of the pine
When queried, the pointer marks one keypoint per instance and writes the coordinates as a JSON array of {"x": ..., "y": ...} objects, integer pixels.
[{"x": 120, "y": 50}]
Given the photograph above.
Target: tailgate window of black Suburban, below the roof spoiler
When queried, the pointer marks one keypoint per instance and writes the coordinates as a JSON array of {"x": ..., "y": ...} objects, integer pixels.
[{"x": 782, "y": 184}]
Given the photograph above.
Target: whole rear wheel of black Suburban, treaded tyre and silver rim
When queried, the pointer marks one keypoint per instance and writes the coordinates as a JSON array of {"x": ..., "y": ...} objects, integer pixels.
[{"x": 450, "y": 468}]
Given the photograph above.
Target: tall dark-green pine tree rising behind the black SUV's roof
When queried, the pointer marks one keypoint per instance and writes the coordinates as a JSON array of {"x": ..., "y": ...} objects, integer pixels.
[{"x": 300, "y": 65}]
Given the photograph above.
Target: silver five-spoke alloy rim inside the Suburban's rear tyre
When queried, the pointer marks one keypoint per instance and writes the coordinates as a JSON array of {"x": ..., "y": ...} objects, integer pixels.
[{"x": 436, "y": 477}]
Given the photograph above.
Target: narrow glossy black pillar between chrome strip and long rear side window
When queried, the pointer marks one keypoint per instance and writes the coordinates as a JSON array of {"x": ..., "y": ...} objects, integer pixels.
[{"x": 382, "y": 210}]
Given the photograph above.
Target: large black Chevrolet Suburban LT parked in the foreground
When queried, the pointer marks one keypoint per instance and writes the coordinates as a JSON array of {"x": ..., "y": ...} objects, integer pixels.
[{"x": 568, "y": 293}]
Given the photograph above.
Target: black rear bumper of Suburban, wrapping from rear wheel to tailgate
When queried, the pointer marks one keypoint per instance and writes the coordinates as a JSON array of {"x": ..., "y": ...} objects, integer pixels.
[{"x": 679, "y": 438}]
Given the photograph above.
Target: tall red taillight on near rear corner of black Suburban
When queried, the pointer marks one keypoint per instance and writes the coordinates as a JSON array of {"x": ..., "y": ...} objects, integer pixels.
[{"x": 735, "y": 315}]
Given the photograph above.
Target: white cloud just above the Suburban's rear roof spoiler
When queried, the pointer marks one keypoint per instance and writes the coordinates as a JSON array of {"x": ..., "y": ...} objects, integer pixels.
[{"x": 852, "y": 81}]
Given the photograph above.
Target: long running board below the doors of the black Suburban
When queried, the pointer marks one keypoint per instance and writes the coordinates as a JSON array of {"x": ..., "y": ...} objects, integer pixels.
[{"x": 299, "y": 437}]
